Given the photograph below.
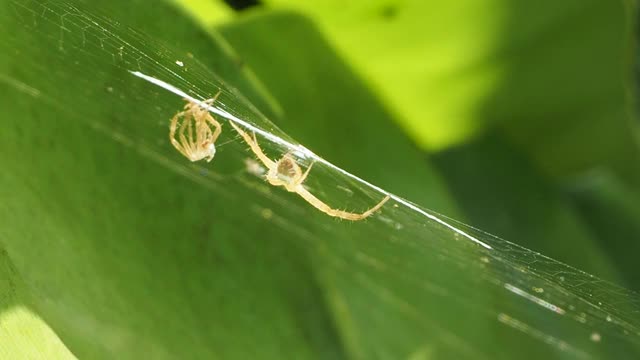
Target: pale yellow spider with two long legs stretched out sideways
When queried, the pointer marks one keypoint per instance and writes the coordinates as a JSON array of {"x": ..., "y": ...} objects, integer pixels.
[{"x": 287, "y": 173}]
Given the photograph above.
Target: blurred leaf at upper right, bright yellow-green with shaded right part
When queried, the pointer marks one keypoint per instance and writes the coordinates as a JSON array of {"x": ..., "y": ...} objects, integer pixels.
[{"x": 551, "y": 77}]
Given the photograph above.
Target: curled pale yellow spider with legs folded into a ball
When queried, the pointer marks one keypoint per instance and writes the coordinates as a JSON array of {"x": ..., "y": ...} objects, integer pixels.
[{"x": 196, "y": 136}]
